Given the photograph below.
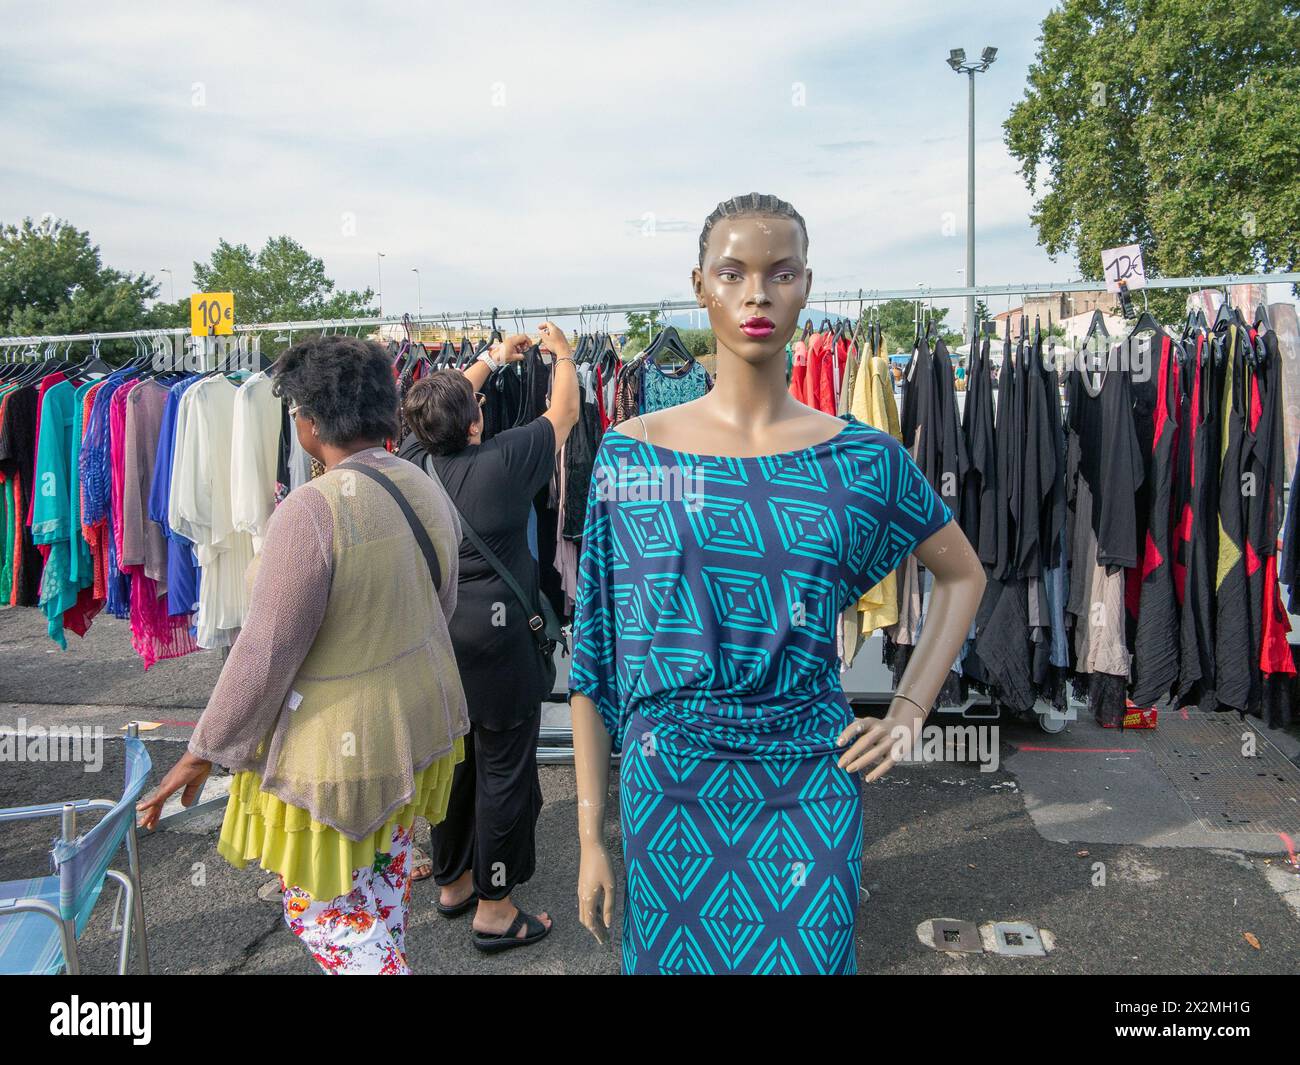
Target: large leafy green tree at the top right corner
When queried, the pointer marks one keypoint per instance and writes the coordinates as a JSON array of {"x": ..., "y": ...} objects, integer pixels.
[{"x": 1169, "y": 124}]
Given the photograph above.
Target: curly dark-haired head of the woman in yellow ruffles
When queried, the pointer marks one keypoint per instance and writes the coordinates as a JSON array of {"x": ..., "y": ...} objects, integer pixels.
[{"x": 341, "y": 393}]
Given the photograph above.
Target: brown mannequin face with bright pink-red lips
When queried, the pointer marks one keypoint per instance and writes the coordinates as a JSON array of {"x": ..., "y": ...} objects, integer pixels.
[{"x": 755, "y": 269}]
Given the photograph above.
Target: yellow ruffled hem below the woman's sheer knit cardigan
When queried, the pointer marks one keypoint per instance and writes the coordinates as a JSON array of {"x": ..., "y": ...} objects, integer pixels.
[{"x": 309, "y": 855}]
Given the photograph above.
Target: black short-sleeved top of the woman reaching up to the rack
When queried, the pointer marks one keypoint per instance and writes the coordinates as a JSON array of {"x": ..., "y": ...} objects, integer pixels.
[{"x": 493, "y": 486}]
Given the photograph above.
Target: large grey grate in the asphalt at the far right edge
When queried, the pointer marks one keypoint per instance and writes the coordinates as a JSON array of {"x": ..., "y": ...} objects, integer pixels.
[{"x": 1227, "y": 791}]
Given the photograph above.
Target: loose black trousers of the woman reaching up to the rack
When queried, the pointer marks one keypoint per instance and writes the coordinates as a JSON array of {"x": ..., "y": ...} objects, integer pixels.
[{"x": 492, "y": 815}]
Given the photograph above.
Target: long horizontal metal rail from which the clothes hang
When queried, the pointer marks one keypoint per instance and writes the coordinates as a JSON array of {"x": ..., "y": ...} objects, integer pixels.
[{"x": 850, "y": 296}]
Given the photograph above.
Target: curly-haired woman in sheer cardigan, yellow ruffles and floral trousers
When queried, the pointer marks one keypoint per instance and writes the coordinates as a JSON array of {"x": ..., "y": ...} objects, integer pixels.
[{"x": 340, "y": 708}]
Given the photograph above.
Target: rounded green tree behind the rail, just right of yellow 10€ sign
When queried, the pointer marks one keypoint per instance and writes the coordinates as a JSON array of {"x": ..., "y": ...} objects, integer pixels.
[{"x": 281, "y": 283}]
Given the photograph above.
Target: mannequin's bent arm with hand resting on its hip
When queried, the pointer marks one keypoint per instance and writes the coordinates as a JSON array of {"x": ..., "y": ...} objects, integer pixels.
[{"x": 956, "y": 596}]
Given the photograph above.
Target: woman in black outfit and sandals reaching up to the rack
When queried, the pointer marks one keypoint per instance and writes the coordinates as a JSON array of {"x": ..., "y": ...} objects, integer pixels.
[{"x": 487, "y": 847}]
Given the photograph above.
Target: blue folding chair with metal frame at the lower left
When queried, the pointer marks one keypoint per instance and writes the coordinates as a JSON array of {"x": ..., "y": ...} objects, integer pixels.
[{"x": 42, "y": 920}]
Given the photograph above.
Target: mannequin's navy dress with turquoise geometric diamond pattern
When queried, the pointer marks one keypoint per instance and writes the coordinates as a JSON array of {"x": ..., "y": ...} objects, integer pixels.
[{"x": 705, "y": 633}]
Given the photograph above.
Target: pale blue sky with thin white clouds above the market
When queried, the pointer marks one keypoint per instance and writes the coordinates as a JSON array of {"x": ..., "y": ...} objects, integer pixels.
[{"x": 521, "y": 155}]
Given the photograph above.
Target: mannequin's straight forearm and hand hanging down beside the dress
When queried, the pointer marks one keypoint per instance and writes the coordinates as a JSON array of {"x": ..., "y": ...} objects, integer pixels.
[{"x": 592, "y": 767}]
